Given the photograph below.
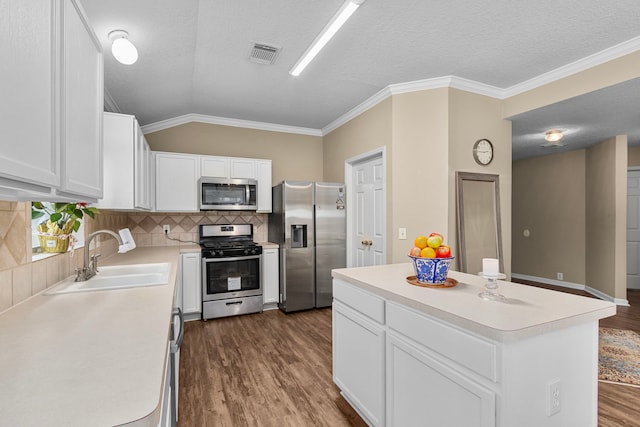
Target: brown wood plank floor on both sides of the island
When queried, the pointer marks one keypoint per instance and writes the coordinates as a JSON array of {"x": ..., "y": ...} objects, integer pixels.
[{"x": 274, "y": 369}]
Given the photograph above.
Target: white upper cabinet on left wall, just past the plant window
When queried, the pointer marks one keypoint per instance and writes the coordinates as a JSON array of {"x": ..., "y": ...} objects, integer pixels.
[{"x": 127, "y": 164}]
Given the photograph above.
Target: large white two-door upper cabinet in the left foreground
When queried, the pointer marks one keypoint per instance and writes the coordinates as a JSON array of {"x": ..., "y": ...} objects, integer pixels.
[{"x": 53, "y": 74}]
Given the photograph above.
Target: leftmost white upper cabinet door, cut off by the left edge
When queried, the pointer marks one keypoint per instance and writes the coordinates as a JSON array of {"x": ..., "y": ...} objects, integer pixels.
[{"x": 30, "y": 147}]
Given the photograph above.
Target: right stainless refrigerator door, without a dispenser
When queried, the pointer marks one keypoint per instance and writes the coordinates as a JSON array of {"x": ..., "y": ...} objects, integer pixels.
[{"x": 331, "y": 232}]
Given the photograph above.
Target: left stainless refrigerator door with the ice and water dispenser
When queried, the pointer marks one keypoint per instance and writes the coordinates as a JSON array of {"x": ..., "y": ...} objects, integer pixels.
[{"x": 297, "y": 281}]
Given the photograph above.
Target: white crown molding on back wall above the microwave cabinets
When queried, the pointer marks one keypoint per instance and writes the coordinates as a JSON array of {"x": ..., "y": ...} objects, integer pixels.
[{"x": 224, "y": 121}]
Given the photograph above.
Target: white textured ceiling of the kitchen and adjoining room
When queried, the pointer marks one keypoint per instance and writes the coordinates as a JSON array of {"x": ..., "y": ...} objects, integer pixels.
[{"x": 194, "y": 53}]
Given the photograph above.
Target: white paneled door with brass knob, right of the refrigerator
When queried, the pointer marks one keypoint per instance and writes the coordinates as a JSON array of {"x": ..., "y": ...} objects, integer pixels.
[{"x": 369, "y": 242}]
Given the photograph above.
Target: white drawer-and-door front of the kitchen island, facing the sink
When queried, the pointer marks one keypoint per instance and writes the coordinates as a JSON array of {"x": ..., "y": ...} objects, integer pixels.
[{"x": 385, "y": 364}]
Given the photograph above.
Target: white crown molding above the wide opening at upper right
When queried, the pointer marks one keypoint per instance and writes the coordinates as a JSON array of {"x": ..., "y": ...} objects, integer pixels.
[{"x": 583, "y": 64}]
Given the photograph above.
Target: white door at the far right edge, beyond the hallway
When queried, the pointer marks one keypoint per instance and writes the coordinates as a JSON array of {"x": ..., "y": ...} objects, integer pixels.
[{"x": 633, "y": 229}]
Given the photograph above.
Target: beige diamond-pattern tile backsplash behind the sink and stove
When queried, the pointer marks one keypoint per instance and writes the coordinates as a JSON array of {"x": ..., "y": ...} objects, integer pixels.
[{"x": 20, "y": 277}]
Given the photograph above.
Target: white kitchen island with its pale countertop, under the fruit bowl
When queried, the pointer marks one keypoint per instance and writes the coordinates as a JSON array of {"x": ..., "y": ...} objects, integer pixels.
[{"x": 405, "y": 355}]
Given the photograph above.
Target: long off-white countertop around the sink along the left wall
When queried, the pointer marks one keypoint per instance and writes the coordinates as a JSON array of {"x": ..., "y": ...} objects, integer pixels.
[{"x": 89, "y": 358}]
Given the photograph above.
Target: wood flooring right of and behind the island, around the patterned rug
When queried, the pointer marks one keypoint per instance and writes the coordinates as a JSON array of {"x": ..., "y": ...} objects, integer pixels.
[{"x": 618, "y": 405}]
